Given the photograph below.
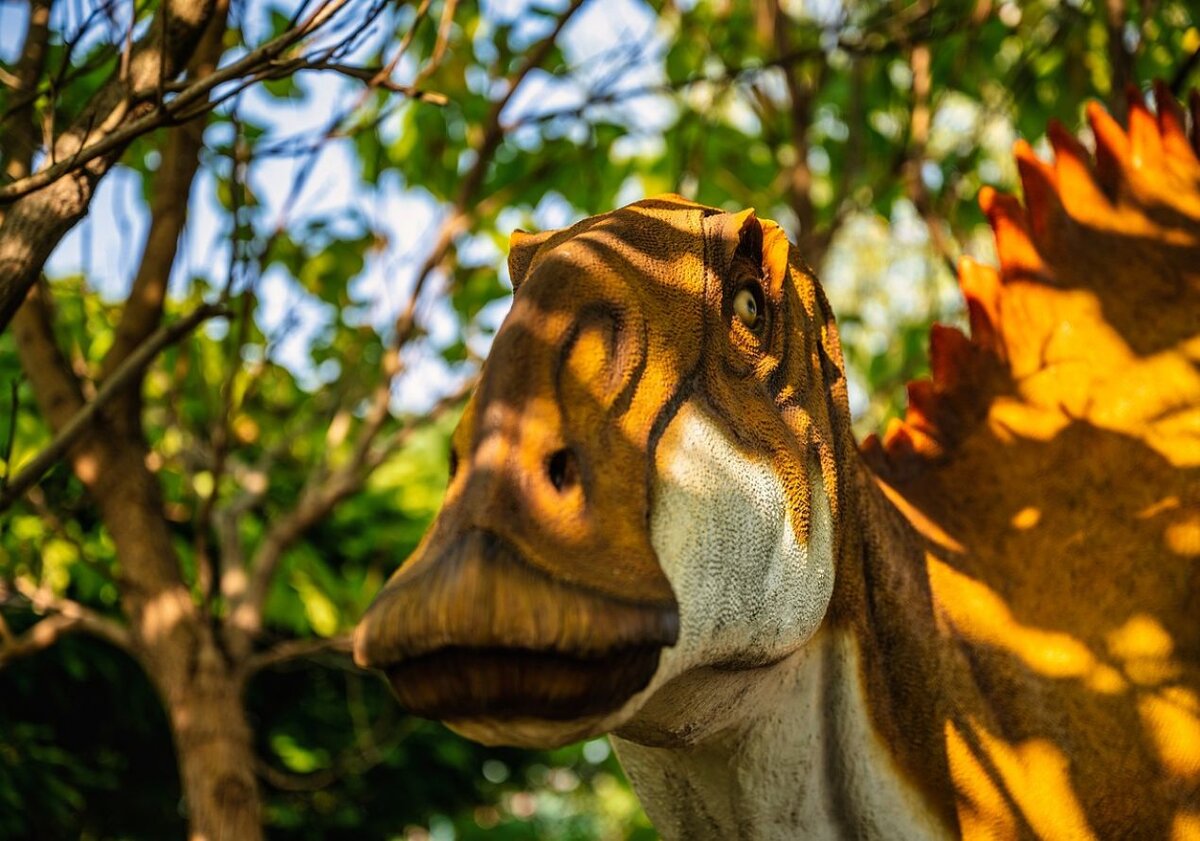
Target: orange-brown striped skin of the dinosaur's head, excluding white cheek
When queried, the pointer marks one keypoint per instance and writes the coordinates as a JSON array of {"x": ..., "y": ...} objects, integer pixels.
[{"x": 555, "y": 454}]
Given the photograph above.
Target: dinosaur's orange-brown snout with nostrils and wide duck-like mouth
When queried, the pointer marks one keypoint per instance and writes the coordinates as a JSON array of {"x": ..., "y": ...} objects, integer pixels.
[{"x": 537, "y": 593}]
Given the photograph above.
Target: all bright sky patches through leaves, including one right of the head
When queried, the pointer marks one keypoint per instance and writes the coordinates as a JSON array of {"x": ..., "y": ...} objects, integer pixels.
[{"x": 106, "y": 247}]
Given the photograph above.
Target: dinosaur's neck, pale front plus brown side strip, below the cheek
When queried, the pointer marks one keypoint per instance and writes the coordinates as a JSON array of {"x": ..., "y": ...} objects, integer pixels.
[{"x": 812, "y": 749}]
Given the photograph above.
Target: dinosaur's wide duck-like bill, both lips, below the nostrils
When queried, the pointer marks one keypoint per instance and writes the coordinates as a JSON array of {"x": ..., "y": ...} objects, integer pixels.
[{"x": 478, "y": 638}]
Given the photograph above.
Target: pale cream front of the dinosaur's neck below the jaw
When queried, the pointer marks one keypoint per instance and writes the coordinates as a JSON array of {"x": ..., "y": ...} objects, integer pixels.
[{"x": 807, "y": 764}]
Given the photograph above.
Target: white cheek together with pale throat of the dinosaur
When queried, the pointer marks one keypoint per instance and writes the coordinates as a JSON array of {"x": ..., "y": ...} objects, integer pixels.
[{"x": 755, "y": 725}]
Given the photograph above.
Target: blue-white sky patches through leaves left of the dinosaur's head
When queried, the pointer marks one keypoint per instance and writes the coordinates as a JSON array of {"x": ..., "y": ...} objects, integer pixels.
[{"x": 106, "y": 247}]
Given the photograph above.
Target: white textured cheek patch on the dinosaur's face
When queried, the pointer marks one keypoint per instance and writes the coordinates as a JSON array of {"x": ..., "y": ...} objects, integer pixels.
[{"x": 751, "y": 588}]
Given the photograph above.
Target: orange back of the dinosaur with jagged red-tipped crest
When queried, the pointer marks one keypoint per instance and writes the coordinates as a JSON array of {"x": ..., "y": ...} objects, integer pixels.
[{"x": 1052, "y": 467}]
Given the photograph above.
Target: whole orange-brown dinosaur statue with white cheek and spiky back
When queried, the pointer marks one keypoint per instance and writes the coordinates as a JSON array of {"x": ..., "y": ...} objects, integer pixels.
[{"x": 987, "y": 624}]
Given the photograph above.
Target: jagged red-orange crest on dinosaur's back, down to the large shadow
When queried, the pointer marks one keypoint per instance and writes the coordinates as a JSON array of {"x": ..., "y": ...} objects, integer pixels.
[{"x": 1099, "y": 289}]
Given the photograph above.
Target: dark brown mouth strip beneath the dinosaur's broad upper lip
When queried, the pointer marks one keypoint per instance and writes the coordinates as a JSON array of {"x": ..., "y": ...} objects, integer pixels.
[{"x": 467, "y": 683}]
